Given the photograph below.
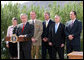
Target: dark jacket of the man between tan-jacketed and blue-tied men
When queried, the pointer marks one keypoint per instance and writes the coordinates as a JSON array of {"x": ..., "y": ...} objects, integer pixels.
[{"x": 46, "y": 31}]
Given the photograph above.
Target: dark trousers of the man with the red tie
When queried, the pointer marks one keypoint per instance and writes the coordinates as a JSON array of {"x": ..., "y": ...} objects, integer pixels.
[{"x": 25, "y": 50}]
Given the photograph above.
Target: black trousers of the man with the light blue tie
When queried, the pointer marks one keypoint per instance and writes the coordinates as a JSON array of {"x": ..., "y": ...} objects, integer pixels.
[{"x": 60, "y": 52}]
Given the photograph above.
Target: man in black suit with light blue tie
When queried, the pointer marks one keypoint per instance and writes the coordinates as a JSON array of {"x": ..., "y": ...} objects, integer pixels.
[{"x": 57, "y": 38}]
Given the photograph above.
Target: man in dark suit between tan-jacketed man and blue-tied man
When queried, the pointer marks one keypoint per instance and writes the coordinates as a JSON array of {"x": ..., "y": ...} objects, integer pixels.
[{"x": 45, "y": 46}]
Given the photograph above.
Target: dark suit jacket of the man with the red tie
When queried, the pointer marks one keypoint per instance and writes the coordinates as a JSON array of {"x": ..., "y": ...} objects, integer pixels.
[{"x": 28, "y": 31}]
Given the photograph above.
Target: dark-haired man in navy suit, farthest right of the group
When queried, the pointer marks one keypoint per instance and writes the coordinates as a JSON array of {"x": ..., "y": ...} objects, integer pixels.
[{"x": 73, "y": 30}]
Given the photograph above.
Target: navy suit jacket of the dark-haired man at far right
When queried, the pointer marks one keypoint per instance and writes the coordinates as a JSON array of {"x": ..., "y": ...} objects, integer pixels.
[{"x": 75, "y": 30}]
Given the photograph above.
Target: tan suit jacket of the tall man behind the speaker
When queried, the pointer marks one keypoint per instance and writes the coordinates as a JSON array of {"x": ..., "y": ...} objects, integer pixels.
[{"x": 38, "y": 29}]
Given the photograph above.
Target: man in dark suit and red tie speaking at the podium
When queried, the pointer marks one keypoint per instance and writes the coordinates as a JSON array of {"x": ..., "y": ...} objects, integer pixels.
[{"x": 25, "y": 30}]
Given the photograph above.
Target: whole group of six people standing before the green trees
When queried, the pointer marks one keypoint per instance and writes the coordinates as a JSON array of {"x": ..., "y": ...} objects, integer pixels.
[{"x": 49, "y": 35}]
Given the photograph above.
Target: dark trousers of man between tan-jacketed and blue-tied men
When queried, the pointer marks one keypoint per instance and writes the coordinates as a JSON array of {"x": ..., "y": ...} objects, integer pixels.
[{"x": 46, "y": 47}]
